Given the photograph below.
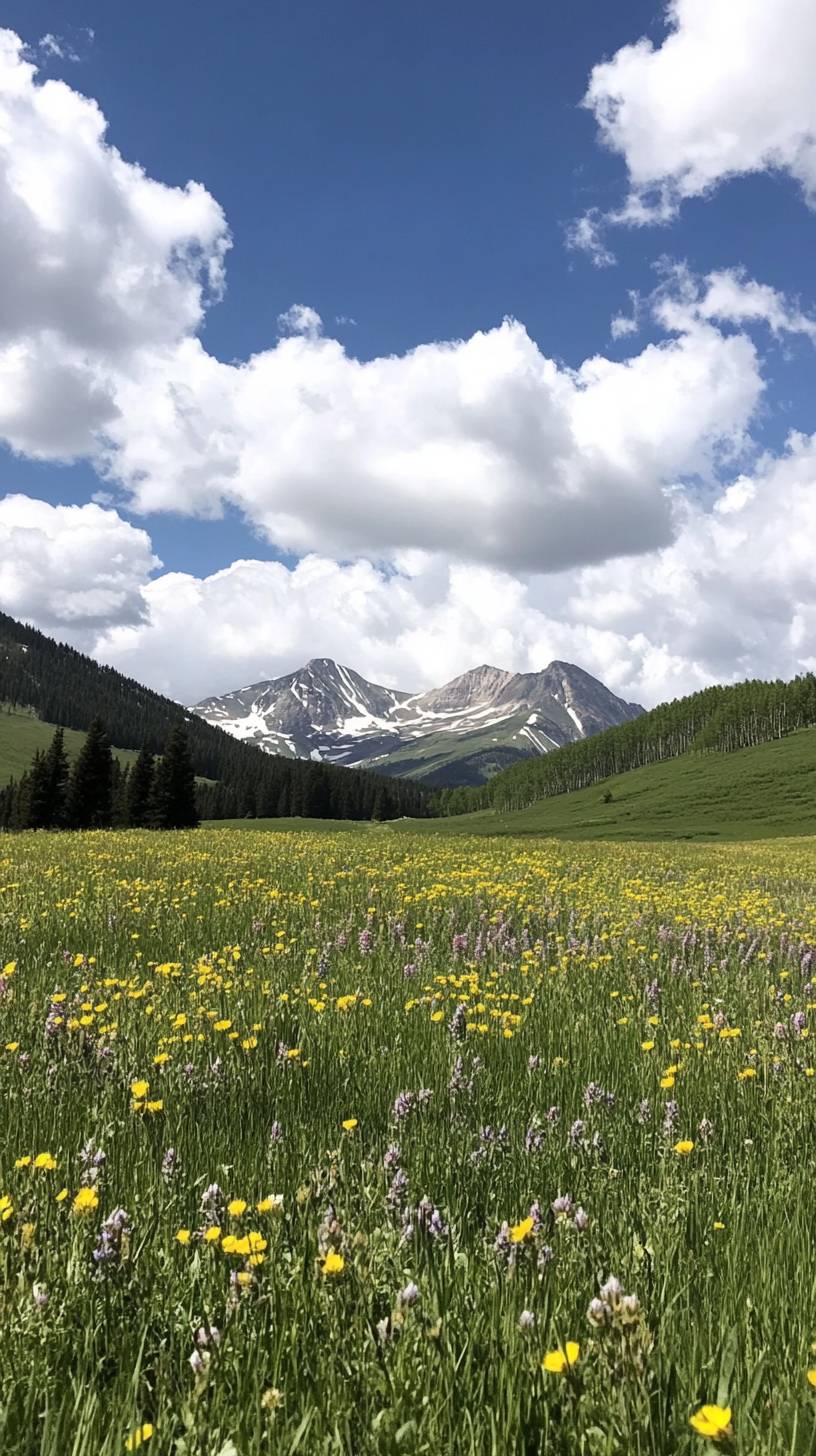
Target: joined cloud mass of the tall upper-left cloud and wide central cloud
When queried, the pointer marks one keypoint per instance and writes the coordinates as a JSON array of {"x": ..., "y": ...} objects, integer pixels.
[{"x": 483, "y": 449}]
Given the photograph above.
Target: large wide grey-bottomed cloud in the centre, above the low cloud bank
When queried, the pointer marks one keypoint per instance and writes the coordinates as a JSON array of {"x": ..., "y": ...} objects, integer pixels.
[{"x": 483, "y": 449}]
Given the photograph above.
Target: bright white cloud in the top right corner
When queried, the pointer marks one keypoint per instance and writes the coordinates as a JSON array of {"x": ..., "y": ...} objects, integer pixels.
[{"x": 728, "y": 92}]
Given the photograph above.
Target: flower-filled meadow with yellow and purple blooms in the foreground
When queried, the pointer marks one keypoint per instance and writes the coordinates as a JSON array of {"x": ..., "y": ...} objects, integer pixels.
[{"x": 390, "y": 1144}]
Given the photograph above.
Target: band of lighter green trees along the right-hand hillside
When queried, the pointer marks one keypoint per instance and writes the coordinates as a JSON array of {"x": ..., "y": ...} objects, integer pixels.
[{"x": 718, "y": 720}]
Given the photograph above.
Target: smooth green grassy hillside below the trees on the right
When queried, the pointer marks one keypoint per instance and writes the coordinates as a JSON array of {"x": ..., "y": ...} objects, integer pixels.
[{"x": 761, "y": 793}]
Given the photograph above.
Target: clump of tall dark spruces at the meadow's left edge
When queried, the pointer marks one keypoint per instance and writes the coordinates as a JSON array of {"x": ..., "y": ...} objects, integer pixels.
[{"x": 100, "y": 793}]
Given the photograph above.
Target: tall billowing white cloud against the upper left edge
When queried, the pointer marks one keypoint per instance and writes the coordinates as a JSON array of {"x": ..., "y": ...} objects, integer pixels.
[{"x": 97, "y": 261}]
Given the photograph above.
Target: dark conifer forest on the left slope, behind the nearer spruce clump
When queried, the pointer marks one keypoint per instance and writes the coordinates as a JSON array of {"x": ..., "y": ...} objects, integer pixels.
[{"x": 65, "y": 687}]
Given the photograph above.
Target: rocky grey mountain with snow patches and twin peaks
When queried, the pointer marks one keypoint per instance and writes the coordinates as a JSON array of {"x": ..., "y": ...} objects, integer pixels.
[{"x": 461, "y": 733}]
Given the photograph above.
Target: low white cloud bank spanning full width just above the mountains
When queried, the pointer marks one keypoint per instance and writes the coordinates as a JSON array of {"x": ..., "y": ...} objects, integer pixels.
[{"x": 732, "y": 596}]
